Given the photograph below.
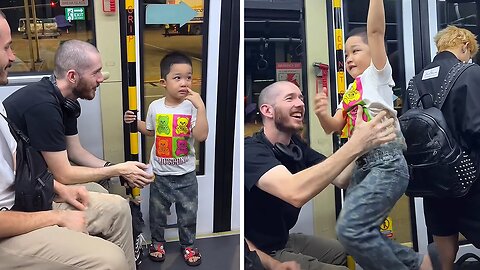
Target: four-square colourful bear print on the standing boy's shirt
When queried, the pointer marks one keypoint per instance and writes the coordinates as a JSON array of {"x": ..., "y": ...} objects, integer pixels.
[{"x": 171, "y": 138}]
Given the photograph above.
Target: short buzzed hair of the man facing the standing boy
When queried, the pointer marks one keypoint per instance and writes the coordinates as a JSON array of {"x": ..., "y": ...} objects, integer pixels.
[{"x": 71, "y": 55}]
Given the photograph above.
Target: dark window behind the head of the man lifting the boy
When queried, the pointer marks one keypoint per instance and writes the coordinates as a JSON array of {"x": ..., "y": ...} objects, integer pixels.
[{"x": 273, "y": 52}]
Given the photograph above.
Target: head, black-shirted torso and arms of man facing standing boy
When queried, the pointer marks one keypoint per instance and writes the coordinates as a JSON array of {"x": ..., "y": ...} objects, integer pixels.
[{"x": 47, "y": 112}]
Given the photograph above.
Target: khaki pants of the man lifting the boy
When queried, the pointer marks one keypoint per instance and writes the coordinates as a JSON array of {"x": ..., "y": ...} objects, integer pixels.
[{"x": 313, "y": 253}]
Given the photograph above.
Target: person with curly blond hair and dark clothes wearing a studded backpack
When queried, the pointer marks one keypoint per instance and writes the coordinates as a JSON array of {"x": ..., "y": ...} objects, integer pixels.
[{"x": 447, "y": 217}]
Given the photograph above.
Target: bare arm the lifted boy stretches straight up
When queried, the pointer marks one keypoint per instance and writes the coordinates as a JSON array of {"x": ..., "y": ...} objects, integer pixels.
[{"x": 376, "y": 33}]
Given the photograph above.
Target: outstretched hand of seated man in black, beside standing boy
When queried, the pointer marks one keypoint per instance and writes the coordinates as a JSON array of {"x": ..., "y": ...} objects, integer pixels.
[{"x": 135, "y": 173}]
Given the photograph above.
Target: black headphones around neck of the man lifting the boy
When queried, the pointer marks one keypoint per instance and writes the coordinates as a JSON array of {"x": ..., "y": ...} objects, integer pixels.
[{"x": 284, "y": 153}]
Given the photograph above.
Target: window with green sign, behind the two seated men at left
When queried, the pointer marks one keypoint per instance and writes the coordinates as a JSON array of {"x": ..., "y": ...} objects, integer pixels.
[{"x": 35, "y": 50}]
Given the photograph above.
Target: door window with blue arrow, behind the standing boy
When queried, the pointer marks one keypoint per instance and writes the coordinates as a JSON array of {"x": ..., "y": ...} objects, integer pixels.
[{"x": 181, "y": 31}]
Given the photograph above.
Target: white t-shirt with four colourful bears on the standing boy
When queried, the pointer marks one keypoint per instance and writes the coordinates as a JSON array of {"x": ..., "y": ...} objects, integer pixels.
[{"x": 173, "y": 151}]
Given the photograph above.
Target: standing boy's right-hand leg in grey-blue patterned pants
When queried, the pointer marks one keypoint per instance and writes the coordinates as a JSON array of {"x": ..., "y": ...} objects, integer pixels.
[{"x": 186, "y": 196}]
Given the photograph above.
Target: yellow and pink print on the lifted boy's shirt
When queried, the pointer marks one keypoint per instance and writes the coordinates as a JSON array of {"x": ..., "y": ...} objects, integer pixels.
[{"x": 351, "y": 99}]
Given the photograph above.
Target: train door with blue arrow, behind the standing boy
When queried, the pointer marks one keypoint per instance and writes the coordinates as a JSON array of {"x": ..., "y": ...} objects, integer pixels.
[{"x": 195, "y": 28}]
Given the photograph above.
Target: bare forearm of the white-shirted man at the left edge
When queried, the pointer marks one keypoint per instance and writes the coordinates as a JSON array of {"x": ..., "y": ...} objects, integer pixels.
[{"x": 14, "y": 223}]
